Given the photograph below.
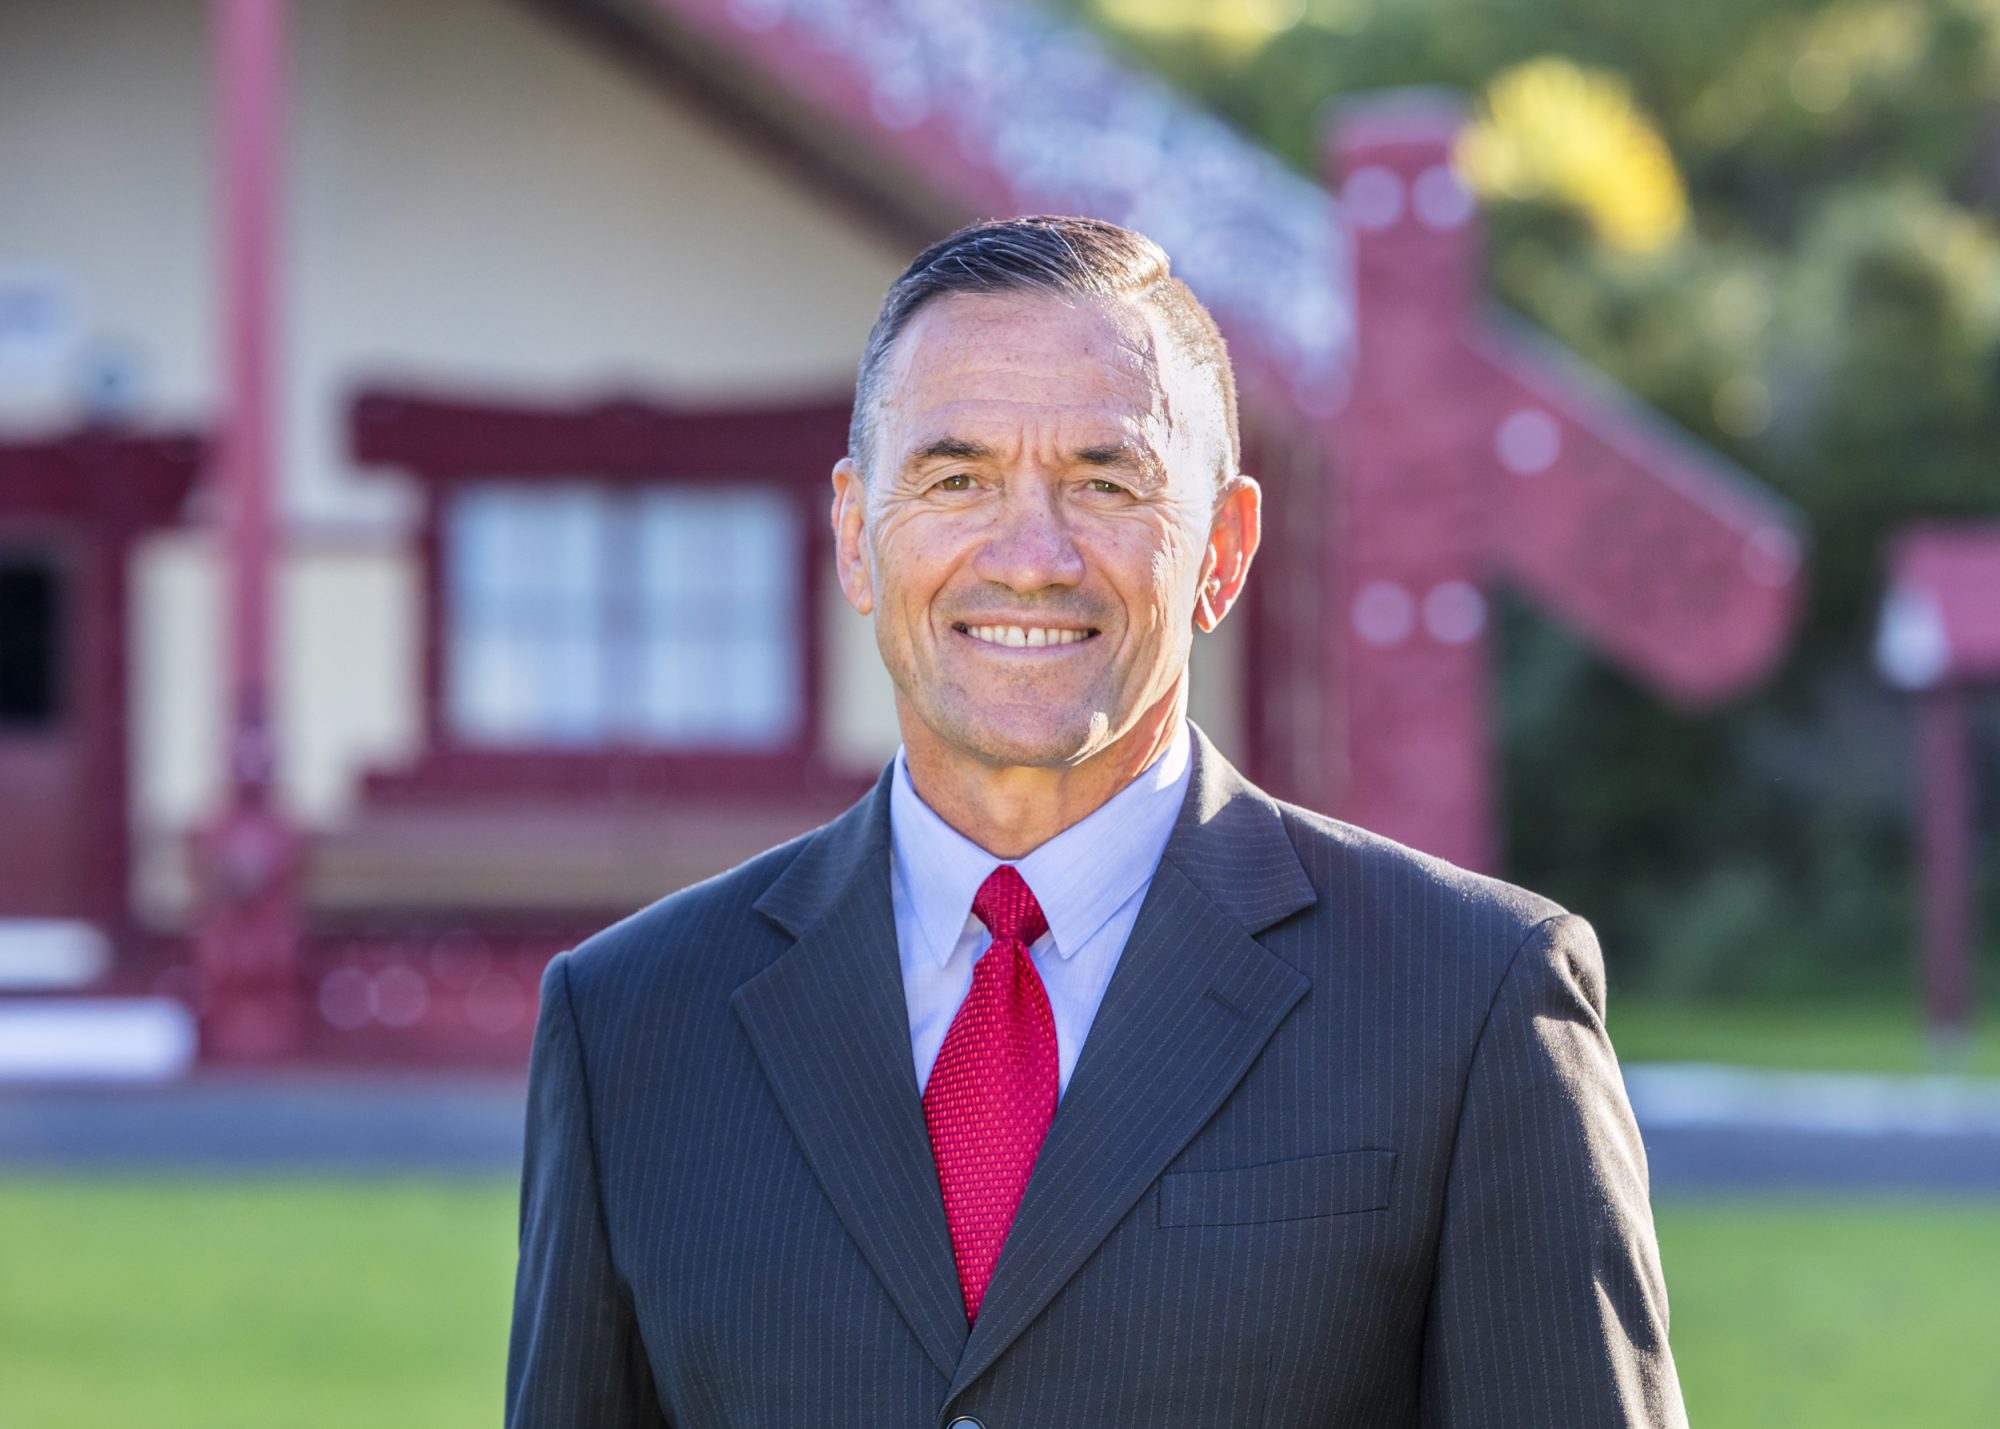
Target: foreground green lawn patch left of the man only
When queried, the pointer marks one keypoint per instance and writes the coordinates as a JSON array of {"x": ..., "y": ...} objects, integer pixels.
[{"x": 253, "y": 1306}]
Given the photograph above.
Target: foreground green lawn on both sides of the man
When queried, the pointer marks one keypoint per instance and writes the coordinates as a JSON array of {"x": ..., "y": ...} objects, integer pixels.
[{"x": 339, "y": 1304}]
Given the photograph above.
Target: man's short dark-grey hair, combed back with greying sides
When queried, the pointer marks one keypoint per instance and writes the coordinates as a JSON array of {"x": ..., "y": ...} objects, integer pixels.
[{"x": 1061, "y": 257}]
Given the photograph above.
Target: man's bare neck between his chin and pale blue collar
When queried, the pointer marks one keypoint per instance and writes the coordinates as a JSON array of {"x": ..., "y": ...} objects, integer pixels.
[{"x": 1015, "y": 810}]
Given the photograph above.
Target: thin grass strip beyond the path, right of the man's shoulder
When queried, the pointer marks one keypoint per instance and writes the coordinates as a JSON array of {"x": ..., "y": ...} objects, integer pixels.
[{"x": 1879, "y": 1038}]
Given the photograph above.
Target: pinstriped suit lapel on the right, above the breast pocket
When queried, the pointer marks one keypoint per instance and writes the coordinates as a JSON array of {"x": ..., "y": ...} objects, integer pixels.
[{"x": 1187, "y": 1014}]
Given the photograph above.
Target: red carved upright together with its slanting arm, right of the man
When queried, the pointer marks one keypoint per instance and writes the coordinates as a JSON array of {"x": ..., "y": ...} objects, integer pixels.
[{"x": 1471, "y": 451}]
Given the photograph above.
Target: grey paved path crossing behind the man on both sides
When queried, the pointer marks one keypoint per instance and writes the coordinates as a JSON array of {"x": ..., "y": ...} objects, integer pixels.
[{"x": 1709, "y": 1130}]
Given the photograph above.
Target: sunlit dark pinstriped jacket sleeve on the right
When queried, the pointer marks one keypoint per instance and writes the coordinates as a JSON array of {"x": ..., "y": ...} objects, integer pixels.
[{"x": 1549, "y": 1306}]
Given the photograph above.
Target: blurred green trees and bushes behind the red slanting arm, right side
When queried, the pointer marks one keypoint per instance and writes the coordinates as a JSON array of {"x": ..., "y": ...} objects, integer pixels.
[{"x": 1831, "y": 319}]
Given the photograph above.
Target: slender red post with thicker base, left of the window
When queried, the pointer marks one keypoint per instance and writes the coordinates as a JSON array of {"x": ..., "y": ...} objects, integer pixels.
[{"x": 247, "y": 946}]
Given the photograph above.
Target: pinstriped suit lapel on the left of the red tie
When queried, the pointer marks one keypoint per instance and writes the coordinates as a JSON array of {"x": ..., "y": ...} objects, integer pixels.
[{"x": 833, "y": 1034}]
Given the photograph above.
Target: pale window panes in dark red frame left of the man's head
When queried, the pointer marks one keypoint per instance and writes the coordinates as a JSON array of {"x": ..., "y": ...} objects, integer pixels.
[{"x": 659, "y": 617}]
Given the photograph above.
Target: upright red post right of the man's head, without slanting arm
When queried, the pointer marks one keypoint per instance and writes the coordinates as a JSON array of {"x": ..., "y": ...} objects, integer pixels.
[{"x": 1409, "y": 531}]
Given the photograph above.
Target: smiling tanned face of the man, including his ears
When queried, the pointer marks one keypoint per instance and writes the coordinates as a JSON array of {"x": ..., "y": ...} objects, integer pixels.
[{"x": 1041, "y": 525}]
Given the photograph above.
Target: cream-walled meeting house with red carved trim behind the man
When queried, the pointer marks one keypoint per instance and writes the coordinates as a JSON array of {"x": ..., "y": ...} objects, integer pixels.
[{"x": 569, "y": 305}]
